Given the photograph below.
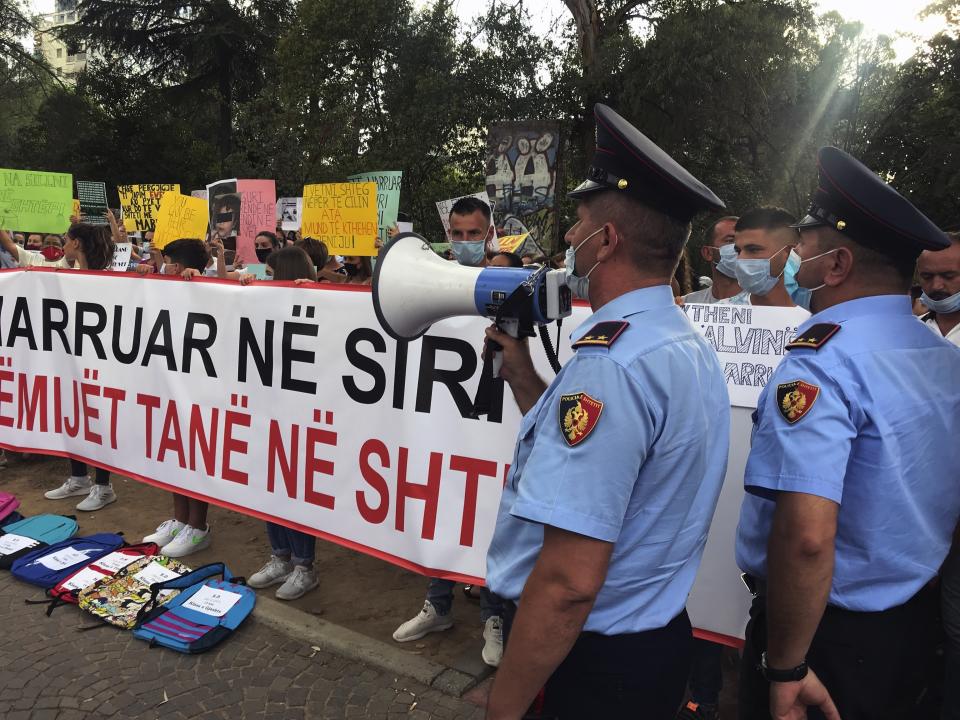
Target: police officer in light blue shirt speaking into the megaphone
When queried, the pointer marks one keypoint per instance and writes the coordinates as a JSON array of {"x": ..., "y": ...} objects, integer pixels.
[{"x": 619, "y": 462}]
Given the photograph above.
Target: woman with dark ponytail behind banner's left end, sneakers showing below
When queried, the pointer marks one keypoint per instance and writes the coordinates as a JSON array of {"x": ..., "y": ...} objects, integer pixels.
[{"x": 85, "y": 247}]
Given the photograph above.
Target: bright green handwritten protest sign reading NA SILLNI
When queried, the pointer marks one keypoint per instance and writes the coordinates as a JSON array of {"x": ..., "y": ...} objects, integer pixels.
[{"x": 33, "y": 201}]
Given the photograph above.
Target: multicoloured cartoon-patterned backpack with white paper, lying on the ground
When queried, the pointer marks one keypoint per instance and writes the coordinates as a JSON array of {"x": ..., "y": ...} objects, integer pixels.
[{"x": 117, "y": 600}]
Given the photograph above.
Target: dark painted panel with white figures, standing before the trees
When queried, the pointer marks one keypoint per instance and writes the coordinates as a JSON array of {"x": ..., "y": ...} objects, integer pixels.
[{"x": 523, "y": 168}]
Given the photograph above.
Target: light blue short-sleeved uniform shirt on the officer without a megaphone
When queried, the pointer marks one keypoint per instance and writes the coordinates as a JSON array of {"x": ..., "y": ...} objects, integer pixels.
[{"x": 880, "y": 439}]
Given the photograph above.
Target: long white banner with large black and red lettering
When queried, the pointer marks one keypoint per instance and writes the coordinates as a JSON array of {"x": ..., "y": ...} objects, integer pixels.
[{"x": 290, "y": 404}]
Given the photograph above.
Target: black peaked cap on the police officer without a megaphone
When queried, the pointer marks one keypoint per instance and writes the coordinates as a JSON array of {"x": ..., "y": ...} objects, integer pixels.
[{"x": 854, "y": 200}]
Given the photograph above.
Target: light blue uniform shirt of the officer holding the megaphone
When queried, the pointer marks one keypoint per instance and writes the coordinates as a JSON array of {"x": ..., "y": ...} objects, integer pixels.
[{"x": 646, "y": 478}]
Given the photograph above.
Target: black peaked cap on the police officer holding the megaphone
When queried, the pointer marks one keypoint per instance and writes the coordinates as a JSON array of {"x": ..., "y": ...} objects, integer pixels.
[{"x": 627, "y": 161}]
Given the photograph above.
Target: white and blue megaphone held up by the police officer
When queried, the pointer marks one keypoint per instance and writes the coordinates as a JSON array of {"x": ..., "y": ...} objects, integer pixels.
[{"x": 413, "y": 288}]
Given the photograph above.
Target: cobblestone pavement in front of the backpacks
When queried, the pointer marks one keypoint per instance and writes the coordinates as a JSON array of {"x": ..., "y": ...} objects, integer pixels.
[{"x": 49, "y": 669}]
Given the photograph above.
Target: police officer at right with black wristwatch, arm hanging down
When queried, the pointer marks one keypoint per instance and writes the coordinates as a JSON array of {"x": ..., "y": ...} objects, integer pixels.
[{"x": 851, "y": 480}]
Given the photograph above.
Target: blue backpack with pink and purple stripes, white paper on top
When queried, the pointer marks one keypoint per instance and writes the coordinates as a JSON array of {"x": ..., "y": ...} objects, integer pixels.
[{"x": 203, "y": 615}]
